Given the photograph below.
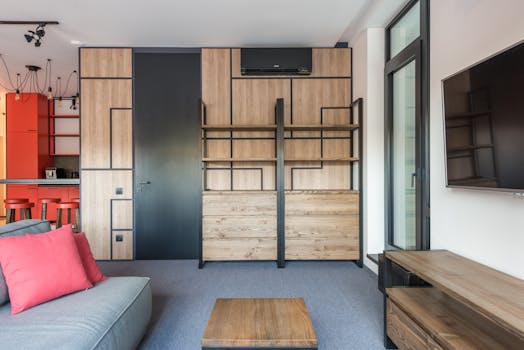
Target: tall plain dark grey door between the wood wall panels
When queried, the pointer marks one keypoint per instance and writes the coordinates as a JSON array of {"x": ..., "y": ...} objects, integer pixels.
[{"x": 167, "y": 154}]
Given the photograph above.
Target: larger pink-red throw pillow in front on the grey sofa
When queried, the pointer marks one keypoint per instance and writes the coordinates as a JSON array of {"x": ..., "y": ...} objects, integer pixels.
[{"x": 42, "y": 267}]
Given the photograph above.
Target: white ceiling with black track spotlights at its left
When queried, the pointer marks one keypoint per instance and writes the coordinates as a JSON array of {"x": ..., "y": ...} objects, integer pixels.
[{"x": 179, "y": 23}]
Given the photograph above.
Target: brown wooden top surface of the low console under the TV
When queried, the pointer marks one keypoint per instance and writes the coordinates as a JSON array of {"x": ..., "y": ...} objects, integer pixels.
[{"x": 488, "y": 292}]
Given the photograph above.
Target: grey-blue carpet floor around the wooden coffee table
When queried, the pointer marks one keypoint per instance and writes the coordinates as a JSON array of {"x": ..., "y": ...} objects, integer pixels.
[{"x": 342, "y": 299}]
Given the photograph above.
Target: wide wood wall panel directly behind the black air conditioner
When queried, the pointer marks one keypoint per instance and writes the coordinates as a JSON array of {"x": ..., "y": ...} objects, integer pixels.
[{"x": 326, "y": 62}]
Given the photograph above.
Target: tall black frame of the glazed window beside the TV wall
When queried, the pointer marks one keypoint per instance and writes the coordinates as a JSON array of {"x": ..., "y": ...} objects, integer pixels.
[{"x": 417, "y": 51}]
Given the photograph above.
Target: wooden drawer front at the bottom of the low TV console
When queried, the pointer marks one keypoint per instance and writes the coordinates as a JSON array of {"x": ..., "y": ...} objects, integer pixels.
[{"x": 404, "y": 332}]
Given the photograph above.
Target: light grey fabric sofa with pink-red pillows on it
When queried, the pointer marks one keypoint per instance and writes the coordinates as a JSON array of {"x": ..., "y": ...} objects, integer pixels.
[{"x": 112, "y": 315}]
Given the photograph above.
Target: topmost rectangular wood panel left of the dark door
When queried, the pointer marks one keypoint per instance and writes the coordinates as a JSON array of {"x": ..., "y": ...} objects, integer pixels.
[{"x": 106, "y": 63}]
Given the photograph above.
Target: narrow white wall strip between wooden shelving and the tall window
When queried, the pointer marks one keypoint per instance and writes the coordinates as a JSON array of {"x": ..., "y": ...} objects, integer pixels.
[{"x": 368, "y": 83}]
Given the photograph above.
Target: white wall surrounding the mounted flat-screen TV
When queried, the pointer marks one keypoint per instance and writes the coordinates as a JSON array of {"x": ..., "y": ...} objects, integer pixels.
[{"x": 485, "y": 226}]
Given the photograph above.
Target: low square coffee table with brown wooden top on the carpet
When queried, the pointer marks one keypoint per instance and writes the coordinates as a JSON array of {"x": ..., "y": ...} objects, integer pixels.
[{"x": 259, "y": 323}]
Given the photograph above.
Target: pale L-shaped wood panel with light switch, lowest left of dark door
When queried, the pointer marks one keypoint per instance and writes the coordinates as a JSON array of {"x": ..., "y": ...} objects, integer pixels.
[{"x": 98, "y": 188}]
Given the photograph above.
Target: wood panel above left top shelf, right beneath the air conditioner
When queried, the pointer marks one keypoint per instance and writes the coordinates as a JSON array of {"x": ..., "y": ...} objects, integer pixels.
[{"x": 254, "y": 100}]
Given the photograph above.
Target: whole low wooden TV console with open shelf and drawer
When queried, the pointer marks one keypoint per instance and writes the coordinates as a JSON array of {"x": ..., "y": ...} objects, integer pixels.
[{"x": 465, "y": 305}]
